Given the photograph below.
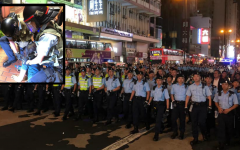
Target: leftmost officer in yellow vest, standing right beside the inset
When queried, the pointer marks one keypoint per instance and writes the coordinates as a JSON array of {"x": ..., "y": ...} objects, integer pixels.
[{"x": 69, "y": 90}]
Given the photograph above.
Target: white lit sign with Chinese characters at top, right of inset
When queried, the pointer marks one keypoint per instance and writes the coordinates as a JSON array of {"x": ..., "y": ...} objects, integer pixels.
[{"x": 96, "y": 7}]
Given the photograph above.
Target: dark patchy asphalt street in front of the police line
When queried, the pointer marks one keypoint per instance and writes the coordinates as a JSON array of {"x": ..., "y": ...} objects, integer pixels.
[{"x": 21, "y": 130}]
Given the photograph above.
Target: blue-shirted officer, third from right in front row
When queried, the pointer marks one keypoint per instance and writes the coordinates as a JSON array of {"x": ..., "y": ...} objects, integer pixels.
[{"x": 178, "y": 96}]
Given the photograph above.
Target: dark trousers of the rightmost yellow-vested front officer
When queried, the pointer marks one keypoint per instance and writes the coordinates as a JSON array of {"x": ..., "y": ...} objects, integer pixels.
[{"x": 97, "y": 104}]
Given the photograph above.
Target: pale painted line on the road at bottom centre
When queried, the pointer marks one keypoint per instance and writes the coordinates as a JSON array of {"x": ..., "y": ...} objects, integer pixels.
[{"x": 127, "y": 139}]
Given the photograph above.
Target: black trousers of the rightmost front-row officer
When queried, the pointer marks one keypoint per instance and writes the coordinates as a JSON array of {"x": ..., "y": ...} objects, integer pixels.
[{"x": 225, "y": 127}]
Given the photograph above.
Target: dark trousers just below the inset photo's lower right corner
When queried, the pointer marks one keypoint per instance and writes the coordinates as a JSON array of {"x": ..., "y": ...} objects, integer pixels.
[{"x": 57, "y": 99}]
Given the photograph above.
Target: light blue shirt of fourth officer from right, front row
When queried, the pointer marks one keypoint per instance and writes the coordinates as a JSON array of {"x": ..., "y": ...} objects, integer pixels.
[{"x": 159, "y": 95}]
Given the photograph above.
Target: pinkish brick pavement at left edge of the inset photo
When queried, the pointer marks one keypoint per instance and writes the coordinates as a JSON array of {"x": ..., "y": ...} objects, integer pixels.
[{"x": 6, "y": 73}]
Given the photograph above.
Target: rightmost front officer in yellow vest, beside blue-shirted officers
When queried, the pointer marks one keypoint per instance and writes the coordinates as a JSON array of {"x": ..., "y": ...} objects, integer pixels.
[{"x": 97, "y": 91}]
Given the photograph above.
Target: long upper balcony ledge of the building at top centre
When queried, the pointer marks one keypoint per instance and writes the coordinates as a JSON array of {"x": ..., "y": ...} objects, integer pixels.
[{"x": 141, "y": 5}]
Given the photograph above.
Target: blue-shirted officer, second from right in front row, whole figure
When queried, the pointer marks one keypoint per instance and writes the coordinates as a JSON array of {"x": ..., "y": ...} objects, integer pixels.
[{"x": 199, "y": 107}]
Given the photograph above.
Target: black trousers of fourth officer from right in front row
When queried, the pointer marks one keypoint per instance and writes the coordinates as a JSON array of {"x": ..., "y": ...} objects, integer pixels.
[{"x": 160, "y": 106}]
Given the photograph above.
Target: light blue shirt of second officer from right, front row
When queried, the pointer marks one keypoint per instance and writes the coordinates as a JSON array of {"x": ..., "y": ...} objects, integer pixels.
[{"x": 198, "y": 93}]
